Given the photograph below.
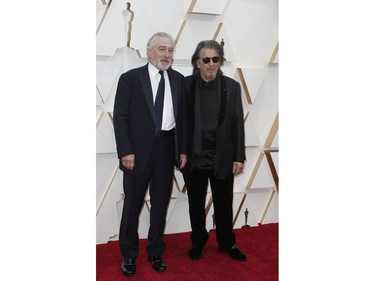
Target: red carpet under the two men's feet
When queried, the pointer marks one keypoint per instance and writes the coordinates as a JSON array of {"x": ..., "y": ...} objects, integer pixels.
[{"x": 260, "y": 244}]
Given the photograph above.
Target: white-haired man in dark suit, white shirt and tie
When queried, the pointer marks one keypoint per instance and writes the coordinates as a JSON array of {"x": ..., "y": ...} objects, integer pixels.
[{"x": 149, "y": 133}]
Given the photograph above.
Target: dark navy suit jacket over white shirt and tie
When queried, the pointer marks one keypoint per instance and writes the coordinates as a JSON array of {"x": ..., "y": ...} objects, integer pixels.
[{"x": 133, "y": 116}]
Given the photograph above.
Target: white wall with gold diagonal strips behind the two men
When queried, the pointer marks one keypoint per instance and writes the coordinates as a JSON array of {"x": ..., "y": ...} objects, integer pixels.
[{"x": 249, "y": 29}]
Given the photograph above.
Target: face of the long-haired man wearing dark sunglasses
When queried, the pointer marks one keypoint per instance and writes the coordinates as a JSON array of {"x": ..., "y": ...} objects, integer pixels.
[{"x": 207, "y": 65}]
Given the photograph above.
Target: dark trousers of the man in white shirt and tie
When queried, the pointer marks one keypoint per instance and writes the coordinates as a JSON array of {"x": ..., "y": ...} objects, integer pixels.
[{"x": 158, "y": 176}]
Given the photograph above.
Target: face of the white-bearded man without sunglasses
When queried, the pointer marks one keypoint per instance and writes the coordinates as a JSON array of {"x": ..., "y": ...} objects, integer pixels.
[{"x": 161, "y": 54}]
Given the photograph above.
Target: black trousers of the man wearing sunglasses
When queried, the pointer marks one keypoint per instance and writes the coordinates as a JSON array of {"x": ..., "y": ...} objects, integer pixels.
[{"x": 222, "y": 193}]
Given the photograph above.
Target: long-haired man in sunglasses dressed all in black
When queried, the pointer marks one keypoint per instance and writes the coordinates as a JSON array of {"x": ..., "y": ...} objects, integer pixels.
[{"x": 216, "y": 150}]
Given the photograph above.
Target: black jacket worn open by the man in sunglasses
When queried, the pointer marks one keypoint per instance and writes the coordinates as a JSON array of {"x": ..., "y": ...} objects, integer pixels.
[{"x": 230, "y": 144}]
